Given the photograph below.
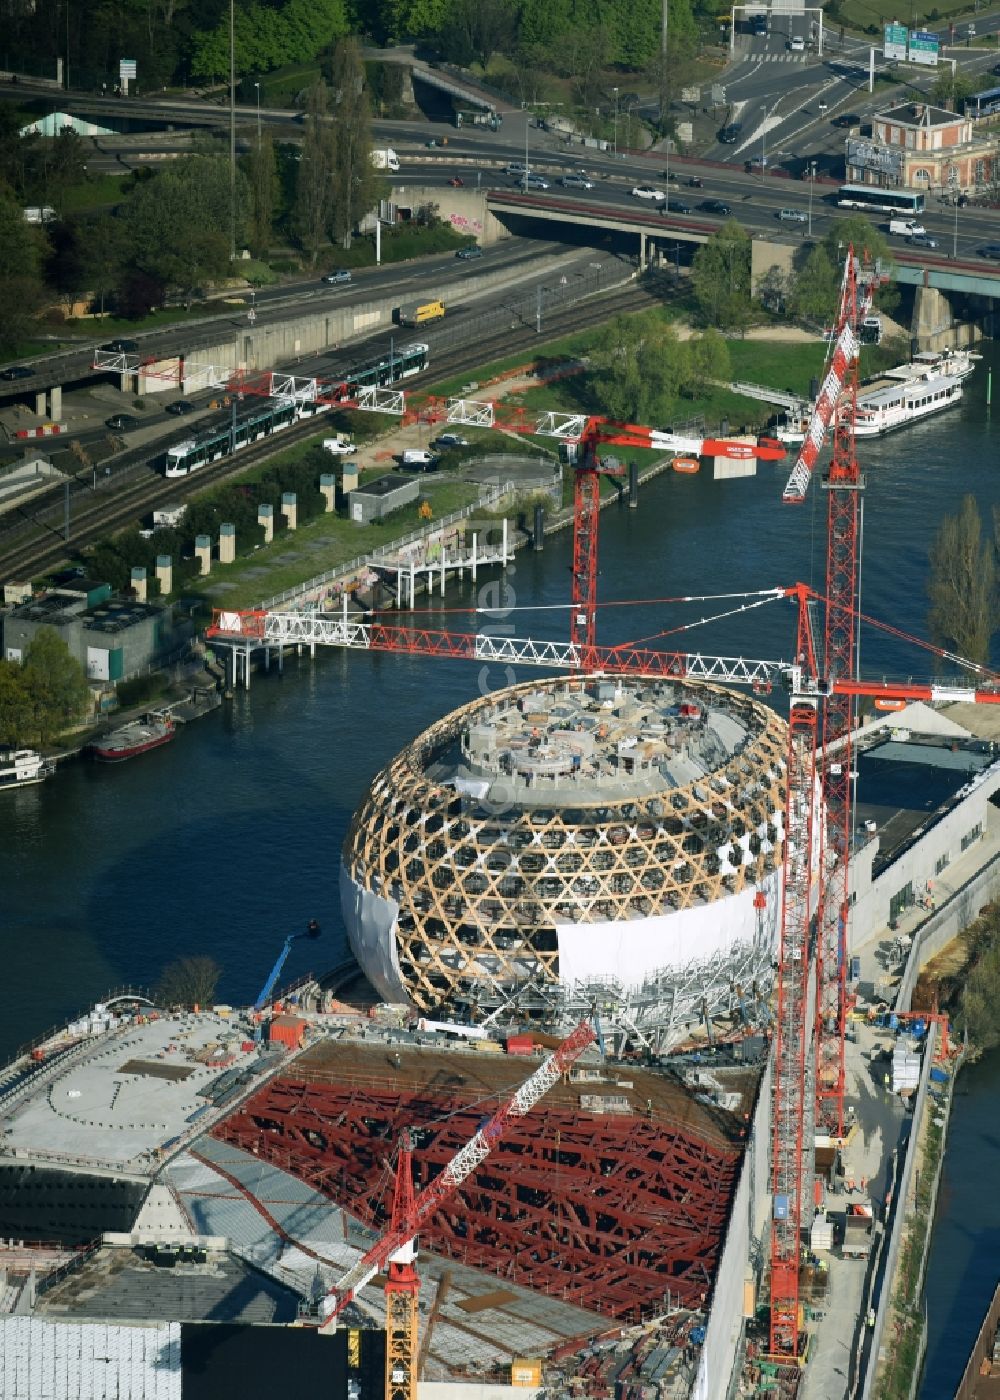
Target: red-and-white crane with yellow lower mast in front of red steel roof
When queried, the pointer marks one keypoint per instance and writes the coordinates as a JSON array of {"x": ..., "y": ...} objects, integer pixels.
[{"x": 397, "y": 1249}]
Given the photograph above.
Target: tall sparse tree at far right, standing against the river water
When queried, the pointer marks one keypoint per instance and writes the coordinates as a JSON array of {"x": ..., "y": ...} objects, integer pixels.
[{"x": 963, "y": 586}]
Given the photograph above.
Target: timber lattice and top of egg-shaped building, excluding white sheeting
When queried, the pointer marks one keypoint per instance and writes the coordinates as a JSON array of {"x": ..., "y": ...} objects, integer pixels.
[{"x": 558, "y": 803}]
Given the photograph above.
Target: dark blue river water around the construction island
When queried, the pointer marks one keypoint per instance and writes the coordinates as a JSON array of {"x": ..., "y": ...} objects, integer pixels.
[{"x": 229, "y": 839}]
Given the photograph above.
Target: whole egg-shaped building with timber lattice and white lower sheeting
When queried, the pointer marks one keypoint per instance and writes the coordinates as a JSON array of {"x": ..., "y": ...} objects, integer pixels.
[{"x": 575, "y": 843}]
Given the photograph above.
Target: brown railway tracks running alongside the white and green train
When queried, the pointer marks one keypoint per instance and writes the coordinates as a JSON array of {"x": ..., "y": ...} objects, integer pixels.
[{"x": 34, "y": 540}]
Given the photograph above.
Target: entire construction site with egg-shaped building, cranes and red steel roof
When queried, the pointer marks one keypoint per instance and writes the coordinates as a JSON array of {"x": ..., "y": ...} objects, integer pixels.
[{"x": 620, "y": 1093}]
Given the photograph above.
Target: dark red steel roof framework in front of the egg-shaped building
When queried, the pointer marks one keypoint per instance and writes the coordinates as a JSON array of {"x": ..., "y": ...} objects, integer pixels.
[{"x": 610, "y": 1212}]
